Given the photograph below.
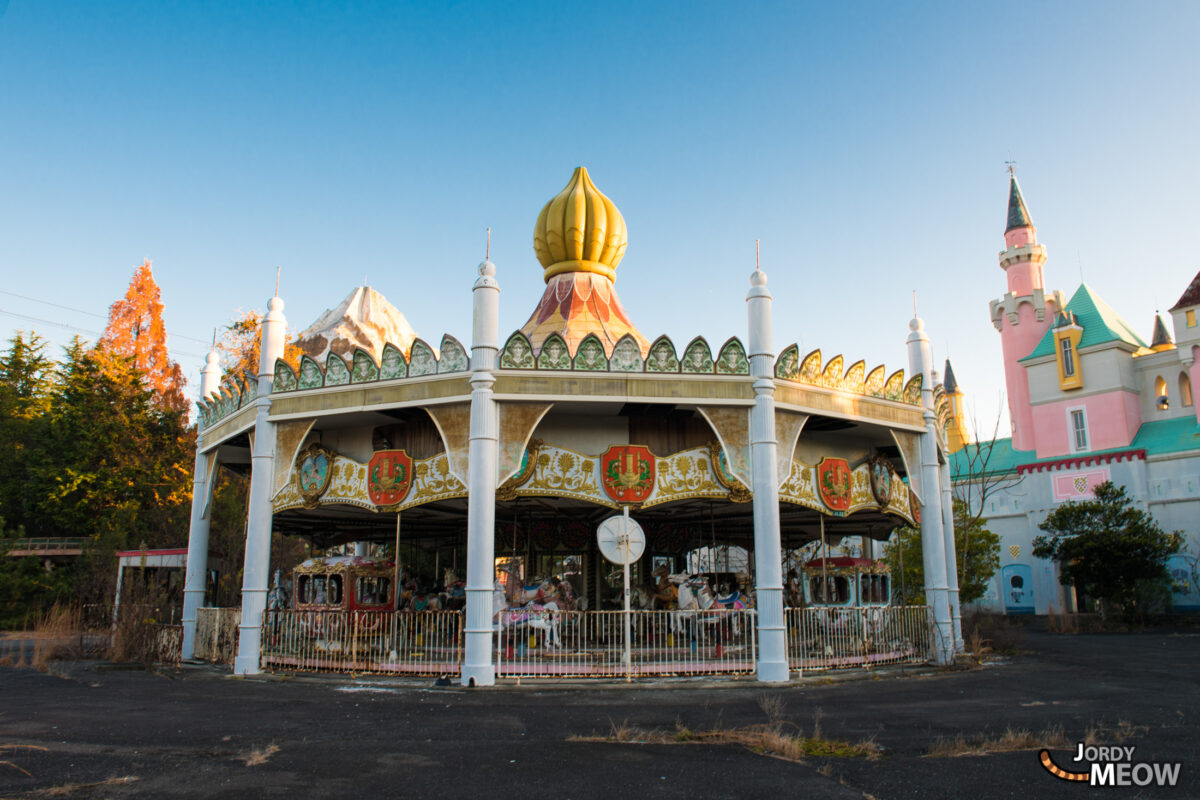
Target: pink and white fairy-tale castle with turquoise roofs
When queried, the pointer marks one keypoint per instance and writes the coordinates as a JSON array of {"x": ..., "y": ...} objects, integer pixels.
[{"x": 1090, "y": 401}]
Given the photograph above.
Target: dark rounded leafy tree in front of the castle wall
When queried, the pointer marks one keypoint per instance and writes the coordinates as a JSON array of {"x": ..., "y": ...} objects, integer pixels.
[{"x": 1111, "y": 551}]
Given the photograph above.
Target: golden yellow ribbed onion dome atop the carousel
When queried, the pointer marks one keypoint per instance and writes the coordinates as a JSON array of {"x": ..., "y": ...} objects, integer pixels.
[{"x": 580, "y": 231}]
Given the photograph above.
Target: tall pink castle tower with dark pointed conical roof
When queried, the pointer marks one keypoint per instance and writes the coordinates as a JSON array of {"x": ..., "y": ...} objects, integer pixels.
[{"x": 1024, "y": 315}]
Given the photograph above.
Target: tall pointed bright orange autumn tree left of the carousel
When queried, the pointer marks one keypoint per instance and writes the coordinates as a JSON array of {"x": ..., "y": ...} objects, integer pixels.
[{"x": 136, "y": 332}]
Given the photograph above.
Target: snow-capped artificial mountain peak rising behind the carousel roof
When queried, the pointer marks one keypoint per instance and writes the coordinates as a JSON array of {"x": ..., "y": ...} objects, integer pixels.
[{"x": 365, "y": 320}]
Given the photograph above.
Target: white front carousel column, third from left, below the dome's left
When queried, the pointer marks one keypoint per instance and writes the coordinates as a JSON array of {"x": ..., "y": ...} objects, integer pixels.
[{"x": 477, "y": 667}]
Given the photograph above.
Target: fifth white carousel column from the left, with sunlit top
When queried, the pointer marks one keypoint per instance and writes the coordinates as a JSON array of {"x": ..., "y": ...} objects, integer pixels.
[{"x": 933, "y": 544}]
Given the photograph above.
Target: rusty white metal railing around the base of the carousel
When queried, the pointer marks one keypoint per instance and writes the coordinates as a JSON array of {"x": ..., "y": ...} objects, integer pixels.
[{"x": 584, "y": 645}]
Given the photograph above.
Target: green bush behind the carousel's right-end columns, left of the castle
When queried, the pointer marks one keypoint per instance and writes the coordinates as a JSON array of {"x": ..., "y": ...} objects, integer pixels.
[{"x": 976, "y": 549}]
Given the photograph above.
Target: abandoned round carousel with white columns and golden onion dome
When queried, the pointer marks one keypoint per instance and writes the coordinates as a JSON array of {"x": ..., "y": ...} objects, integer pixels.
[{"x": 453, "y": 494}]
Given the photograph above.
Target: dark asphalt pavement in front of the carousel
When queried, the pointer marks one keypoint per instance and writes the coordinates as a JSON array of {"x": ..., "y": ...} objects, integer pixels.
[{"x": 92, "y": 731}]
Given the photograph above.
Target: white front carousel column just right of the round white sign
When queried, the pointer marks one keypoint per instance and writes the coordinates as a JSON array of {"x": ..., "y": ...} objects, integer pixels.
[{"x": 764, "y": 474}]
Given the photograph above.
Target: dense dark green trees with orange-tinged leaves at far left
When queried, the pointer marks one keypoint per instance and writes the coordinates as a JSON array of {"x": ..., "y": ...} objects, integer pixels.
[{"x": 89, "y": 453}]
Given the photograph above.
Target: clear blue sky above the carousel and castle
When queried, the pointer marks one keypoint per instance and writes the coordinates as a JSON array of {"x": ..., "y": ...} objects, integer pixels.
[{"x": 863, "y": 143}]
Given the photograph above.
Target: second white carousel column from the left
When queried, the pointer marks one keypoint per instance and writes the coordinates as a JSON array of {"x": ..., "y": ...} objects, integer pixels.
[{"x": 259, "y": 524}]
